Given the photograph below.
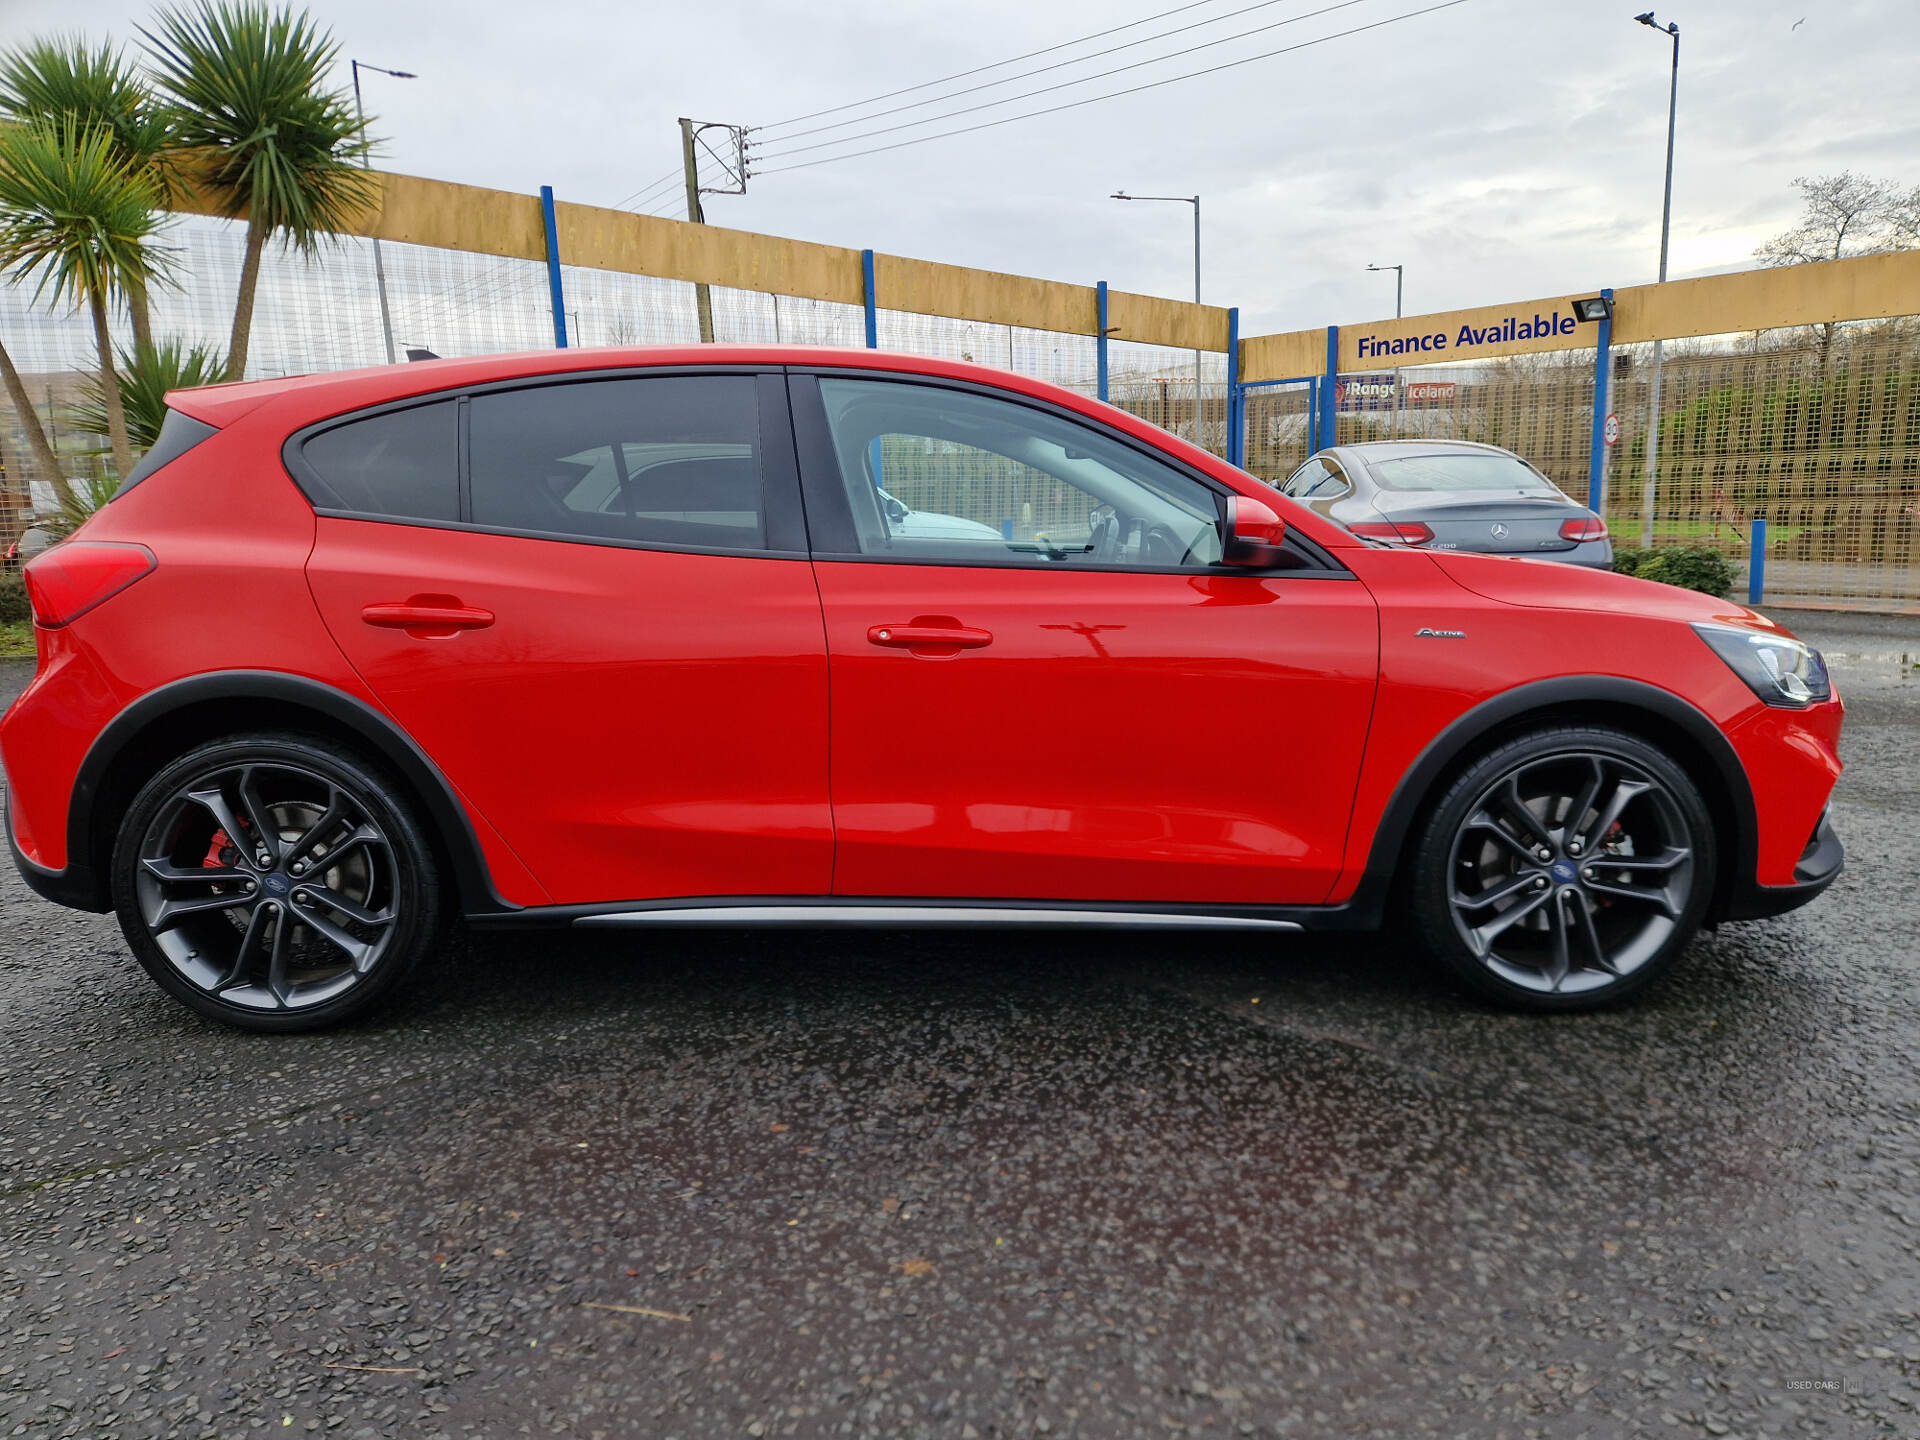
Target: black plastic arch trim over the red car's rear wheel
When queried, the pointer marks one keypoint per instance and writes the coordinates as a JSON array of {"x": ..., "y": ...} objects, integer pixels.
[{"x": 452, "y": 828}]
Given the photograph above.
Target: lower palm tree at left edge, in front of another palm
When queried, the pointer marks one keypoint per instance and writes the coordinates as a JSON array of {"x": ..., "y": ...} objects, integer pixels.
[{"x": 74, "y": 214}]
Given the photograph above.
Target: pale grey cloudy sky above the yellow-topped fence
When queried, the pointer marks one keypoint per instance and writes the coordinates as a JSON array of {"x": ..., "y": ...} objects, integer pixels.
[{"x": 1500, "y": 149}]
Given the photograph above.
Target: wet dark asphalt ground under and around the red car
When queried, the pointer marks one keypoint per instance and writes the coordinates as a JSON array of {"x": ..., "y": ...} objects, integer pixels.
[{"x": 944, "y": 1186}]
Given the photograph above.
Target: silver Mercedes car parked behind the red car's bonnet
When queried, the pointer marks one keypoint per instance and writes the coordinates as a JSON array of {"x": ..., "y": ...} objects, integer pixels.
[{"x": 1451, "y": 494}]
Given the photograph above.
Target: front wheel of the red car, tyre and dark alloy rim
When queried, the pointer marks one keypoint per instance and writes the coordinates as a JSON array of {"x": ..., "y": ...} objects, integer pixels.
[{"x": 1564, "y": 871}]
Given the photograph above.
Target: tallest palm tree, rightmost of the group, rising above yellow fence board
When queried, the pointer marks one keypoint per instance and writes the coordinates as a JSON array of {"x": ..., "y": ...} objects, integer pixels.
[{"x": 270, "y": 139}]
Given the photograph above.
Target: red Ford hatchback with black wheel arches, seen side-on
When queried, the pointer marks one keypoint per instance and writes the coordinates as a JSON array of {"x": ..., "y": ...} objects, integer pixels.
[{"x": 736, "y": 636}]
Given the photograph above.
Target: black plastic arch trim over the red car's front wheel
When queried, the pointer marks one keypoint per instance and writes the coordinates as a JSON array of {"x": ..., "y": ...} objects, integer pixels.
[{"x": 1543, "y": 698}]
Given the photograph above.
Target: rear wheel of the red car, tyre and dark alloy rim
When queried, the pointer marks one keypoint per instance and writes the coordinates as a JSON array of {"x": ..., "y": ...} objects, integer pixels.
[{"x": 276, "y": 882}]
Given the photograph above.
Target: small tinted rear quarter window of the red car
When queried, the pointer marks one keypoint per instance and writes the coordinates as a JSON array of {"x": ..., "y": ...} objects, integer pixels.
[{"x": 402, "y": 464}]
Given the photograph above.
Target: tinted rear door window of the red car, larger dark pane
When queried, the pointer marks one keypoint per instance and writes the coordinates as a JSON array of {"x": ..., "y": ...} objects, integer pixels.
[{"x": 654, "y": 460}]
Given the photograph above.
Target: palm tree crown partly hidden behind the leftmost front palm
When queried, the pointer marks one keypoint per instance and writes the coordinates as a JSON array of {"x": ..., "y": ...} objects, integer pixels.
[{"x": 64, "y": 80}]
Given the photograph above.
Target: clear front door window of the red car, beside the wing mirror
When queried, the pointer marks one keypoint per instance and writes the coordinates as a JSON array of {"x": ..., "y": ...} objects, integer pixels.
[{"x": 951, "y": 475}]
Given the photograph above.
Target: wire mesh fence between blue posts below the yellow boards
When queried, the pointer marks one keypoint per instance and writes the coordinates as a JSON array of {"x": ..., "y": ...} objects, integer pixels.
[{"x": 1813, "y": 431}]
